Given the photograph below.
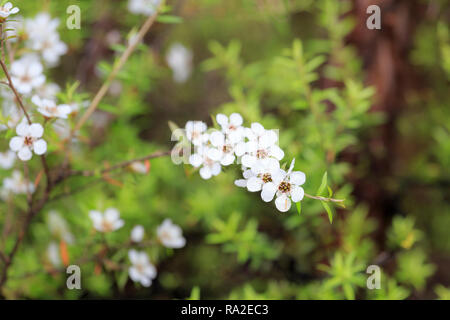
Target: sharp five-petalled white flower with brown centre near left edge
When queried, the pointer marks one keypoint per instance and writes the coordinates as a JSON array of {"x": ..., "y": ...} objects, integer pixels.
[{"x": 28, "y": 138}]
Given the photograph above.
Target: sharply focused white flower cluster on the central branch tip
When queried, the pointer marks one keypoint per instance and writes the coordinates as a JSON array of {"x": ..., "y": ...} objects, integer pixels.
[{"x": 255, "y": 148}]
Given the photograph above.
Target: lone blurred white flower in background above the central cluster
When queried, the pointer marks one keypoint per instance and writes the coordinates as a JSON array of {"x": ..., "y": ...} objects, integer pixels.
[{"x": 179, "y": 59}]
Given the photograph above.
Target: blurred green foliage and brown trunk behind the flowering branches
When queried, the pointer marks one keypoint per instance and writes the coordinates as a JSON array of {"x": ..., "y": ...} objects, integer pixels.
[{"x": 369, "y": 107}]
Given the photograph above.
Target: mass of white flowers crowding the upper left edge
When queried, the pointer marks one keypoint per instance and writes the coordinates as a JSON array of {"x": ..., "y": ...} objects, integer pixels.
[{"x": 42, "y": 47}]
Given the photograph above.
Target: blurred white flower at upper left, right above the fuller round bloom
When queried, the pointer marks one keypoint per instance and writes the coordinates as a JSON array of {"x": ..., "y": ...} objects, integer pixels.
[{"x": 50, "y": 47}]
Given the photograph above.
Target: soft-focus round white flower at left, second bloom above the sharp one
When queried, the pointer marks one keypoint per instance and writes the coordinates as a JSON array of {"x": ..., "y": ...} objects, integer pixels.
[{"x": 26, "y": 74}]
